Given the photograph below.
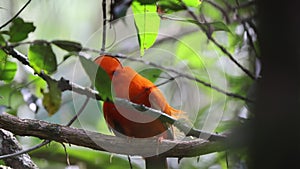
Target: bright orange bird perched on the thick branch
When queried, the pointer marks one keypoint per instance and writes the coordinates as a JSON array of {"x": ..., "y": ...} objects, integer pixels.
[{"x": 128, "y": 84}]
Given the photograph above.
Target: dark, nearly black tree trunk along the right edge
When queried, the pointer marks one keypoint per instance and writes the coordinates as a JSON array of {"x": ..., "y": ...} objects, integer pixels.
[{"x": 275, "y": 130}]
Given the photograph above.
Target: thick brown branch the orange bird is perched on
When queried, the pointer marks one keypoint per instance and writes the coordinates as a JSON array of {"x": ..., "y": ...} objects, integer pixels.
[{"x": 97, "y": 141}]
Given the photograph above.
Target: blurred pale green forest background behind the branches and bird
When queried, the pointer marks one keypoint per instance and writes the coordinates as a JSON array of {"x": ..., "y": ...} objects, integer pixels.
[{"x": 180, "y": 45}]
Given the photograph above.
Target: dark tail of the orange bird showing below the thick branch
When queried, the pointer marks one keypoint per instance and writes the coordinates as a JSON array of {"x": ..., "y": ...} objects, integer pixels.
[{"x": 156, "y": 163}]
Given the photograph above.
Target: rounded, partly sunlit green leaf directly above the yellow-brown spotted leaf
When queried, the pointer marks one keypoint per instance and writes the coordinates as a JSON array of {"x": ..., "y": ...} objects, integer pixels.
[{"x": 42, "y": 57}]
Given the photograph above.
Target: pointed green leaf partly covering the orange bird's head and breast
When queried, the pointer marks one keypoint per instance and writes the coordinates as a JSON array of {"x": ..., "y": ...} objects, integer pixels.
[{"x": 98, "y": 77}]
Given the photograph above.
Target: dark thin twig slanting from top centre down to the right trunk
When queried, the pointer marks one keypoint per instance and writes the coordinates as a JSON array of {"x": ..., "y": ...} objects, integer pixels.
[{"x": 222, "y": 48}]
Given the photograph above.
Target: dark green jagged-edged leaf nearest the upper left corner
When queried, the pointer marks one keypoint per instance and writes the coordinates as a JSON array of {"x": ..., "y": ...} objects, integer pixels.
[{"x": 19, "y": 30}]
